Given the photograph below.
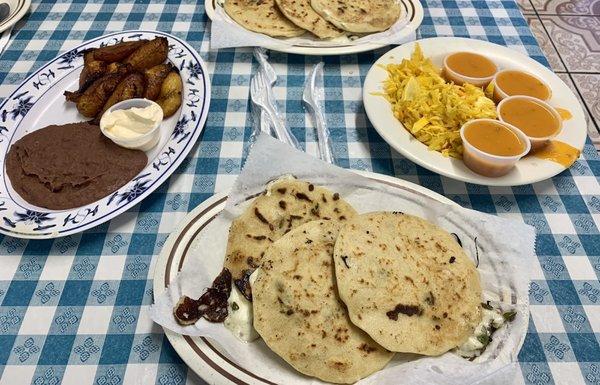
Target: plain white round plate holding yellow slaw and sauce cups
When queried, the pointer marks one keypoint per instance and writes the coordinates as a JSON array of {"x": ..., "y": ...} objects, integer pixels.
[{"x": 528, "y": 170}]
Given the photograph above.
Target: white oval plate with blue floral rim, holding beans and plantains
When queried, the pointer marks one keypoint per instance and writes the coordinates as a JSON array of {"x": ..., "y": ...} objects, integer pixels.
[{"x": 39, "y": 102}]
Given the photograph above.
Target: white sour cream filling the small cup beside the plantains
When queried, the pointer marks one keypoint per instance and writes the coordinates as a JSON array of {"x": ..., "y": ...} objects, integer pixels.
[{"x": 133, "y": 122}]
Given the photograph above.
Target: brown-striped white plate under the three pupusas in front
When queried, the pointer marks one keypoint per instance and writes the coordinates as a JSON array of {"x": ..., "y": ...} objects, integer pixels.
[{"x": 203, "y": 355}]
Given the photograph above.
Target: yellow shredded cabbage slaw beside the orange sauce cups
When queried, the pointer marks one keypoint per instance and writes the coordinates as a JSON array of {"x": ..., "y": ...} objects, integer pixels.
[{"x": 431, "y": 109}]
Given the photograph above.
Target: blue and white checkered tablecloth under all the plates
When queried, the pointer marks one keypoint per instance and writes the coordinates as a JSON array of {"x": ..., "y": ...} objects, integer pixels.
[{"x": 75, "y": 309}]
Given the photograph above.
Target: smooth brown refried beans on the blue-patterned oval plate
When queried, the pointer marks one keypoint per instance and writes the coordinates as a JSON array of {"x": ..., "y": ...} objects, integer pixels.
[{"x": 67, "y": 166}]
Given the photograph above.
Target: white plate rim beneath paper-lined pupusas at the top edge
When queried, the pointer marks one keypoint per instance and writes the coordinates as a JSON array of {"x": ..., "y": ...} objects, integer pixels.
[{"x": 412, "y": 8}]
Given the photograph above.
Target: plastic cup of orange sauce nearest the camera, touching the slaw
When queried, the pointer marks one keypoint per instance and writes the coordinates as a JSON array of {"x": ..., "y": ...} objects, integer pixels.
[{"x": 492, "y": 147}]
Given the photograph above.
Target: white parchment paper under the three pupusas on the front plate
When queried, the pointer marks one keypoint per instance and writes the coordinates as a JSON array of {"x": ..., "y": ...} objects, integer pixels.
[{"x": 502, "y": 249}]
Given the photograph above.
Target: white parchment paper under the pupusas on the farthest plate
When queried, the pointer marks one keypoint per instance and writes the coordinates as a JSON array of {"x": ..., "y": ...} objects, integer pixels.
[{"x": 226, "y": 33}]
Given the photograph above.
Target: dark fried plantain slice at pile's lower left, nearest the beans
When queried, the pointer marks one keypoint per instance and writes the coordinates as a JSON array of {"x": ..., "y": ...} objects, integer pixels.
[{"x": 91, "y": 101}]
